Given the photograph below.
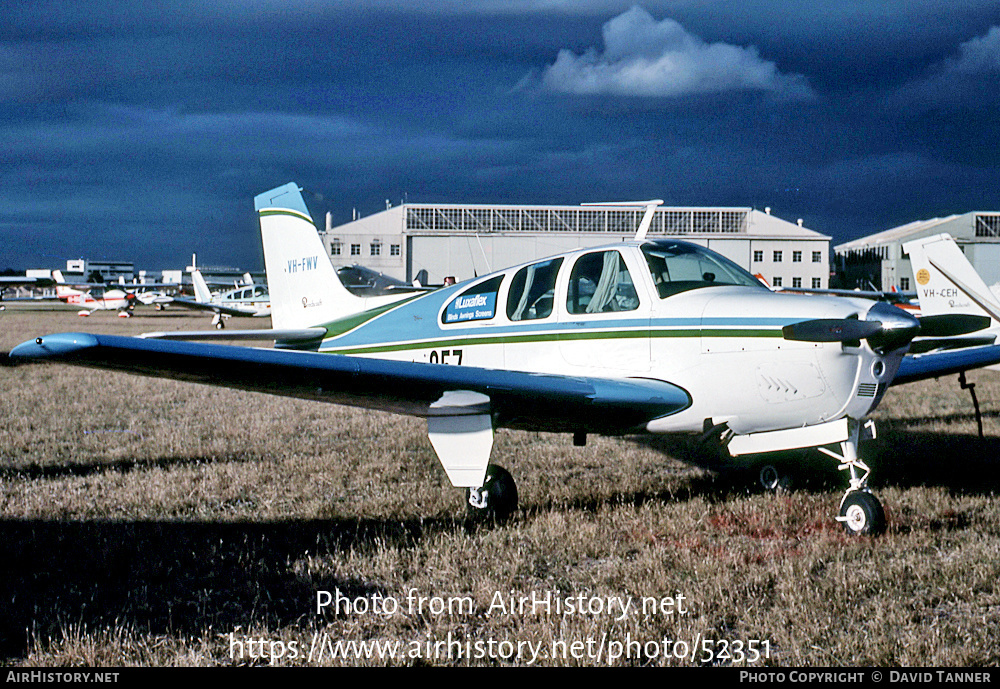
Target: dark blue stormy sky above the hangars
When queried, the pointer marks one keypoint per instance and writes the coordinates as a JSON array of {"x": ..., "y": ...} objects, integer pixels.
[{"x": 143, "y": 130}]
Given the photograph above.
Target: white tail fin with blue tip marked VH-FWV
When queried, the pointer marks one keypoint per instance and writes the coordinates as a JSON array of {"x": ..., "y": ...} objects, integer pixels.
[{"x": 304, "y": 287}]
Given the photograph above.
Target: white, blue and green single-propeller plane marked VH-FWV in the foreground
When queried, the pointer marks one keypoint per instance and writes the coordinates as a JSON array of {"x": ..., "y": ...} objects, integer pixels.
[{"x": 644, "y": 336}]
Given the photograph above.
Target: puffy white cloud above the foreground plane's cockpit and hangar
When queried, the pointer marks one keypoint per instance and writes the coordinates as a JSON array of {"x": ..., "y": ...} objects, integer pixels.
[{"x": 645, "y": 57}]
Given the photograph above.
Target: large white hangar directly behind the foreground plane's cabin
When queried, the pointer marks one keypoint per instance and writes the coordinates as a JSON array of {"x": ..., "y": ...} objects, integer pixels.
[{"x": 432, "y": 242}]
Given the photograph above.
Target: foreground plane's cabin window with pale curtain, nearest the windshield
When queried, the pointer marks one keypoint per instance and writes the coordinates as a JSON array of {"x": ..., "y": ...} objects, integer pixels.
[{"x": 601, "y": 283}]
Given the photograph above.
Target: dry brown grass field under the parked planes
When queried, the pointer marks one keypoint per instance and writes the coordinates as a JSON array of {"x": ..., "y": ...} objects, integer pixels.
[{"x": 150, "y": 522}]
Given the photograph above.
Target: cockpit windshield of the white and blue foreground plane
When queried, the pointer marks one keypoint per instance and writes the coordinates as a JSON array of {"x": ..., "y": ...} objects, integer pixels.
[{"x": 679, "y": 266}]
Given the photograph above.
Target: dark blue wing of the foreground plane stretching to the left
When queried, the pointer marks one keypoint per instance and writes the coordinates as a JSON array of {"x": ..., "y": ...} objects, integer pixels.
[{"x": 526, "y": 401}]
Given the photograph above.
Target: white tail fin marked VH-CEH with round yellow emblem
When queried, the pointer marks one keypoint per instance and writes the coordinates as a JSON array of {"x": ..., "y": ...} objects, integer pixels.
[{"x": 945, "y": 280}]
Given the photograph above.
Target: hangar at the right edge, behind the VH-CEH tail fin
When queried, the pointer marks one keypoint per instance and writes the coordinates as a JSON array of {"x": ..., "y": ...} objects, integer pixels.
[{"x": 878, "y": 260}]
